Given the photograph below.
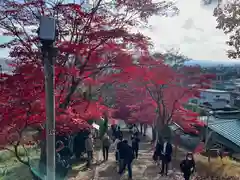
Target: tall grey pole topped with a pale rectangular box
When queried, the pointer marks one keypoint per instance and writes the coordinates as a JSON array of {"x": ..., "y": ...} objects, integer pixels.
[{"x": 47, "y": 34}]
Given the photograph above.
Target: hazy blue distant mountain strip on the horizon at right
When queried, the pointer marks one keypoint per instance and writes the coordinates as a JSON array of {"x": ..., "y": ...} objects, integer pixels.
[{"x": 209, "y": 63}]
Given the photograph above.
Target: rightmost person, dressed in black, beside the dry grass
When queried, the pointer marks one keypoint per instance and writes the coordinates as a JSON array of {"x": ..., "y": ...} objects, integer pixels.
[{"x": 187, "y": 166}]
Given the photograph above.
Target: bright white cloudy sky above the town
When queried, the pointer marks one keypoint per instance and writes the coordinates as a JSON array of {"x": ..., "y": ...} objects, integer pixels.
[{"x": 192, "y": 32}]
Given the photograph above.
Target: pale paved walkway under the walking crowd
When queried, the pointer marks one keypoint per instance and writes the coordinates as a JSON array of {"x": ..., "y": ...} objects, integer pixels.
[{"x": 143, "y": 167}]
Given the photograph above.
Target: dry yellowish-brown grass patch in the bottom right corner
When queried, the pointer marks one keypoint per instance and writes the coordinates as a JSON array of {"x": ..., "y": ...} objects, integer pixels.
[{"x": 217, "y": 167}]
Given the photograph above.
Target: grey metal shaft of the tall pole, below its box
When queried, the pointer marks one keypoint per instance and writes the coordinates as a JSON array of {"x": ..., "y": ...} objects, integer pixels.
[{"x": 50, "y": 110}]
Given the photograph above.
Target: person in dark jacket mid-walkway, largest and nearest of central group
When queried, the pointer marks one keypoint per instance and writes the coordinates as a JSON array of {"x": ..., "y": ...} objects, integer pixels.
[{"x": 128, "y": 157}]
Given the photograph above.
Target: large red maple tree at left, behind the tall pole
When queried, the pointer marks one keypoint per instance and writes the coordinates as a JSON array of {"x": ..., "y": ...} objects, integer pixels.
[{"x": 93, "y": 44}]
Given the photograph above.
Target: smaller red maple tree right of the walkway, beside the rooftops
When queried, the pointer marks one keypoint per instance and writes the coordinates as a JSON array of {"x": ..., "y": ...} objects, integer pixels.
[{"x": 157, "y": 93}]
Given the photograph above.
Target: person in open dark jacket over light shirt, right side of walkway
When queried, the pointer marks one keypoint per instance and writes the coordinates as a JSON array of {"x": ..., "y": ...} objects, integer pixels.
[{"x": 166, "y": 156}]
